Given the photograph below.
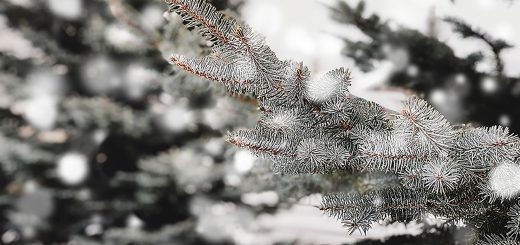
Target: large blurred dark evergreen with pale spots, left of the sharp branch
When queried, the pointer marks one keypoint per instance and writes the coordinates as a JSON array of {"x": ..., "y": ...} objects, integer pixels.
[{"x": 101, "y": 140}]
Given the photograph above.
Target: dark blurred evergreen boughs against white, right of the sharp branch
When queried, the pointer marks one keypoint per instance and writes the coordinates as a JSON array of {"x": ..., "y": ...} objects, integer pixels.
[{"x": 430, "y": 68}]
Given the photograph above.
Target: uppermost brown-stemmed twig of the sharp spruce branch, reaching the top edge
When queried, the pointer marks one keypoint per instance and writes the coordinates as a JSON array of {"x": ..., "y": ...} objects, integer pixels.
[{"x": 232, "y": 42}]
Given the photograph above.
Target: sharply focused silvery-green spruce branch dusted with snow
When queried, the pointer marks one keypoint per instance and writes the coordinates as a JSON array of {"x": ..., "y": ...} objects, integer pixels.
[{"x": 318, "y": 127}]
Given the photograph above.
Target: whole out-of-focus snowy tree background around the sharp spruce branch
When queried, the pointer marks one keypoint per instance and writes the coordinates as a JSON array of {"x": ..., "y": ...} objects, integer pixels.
[{"x": 103, "y": 142}]
